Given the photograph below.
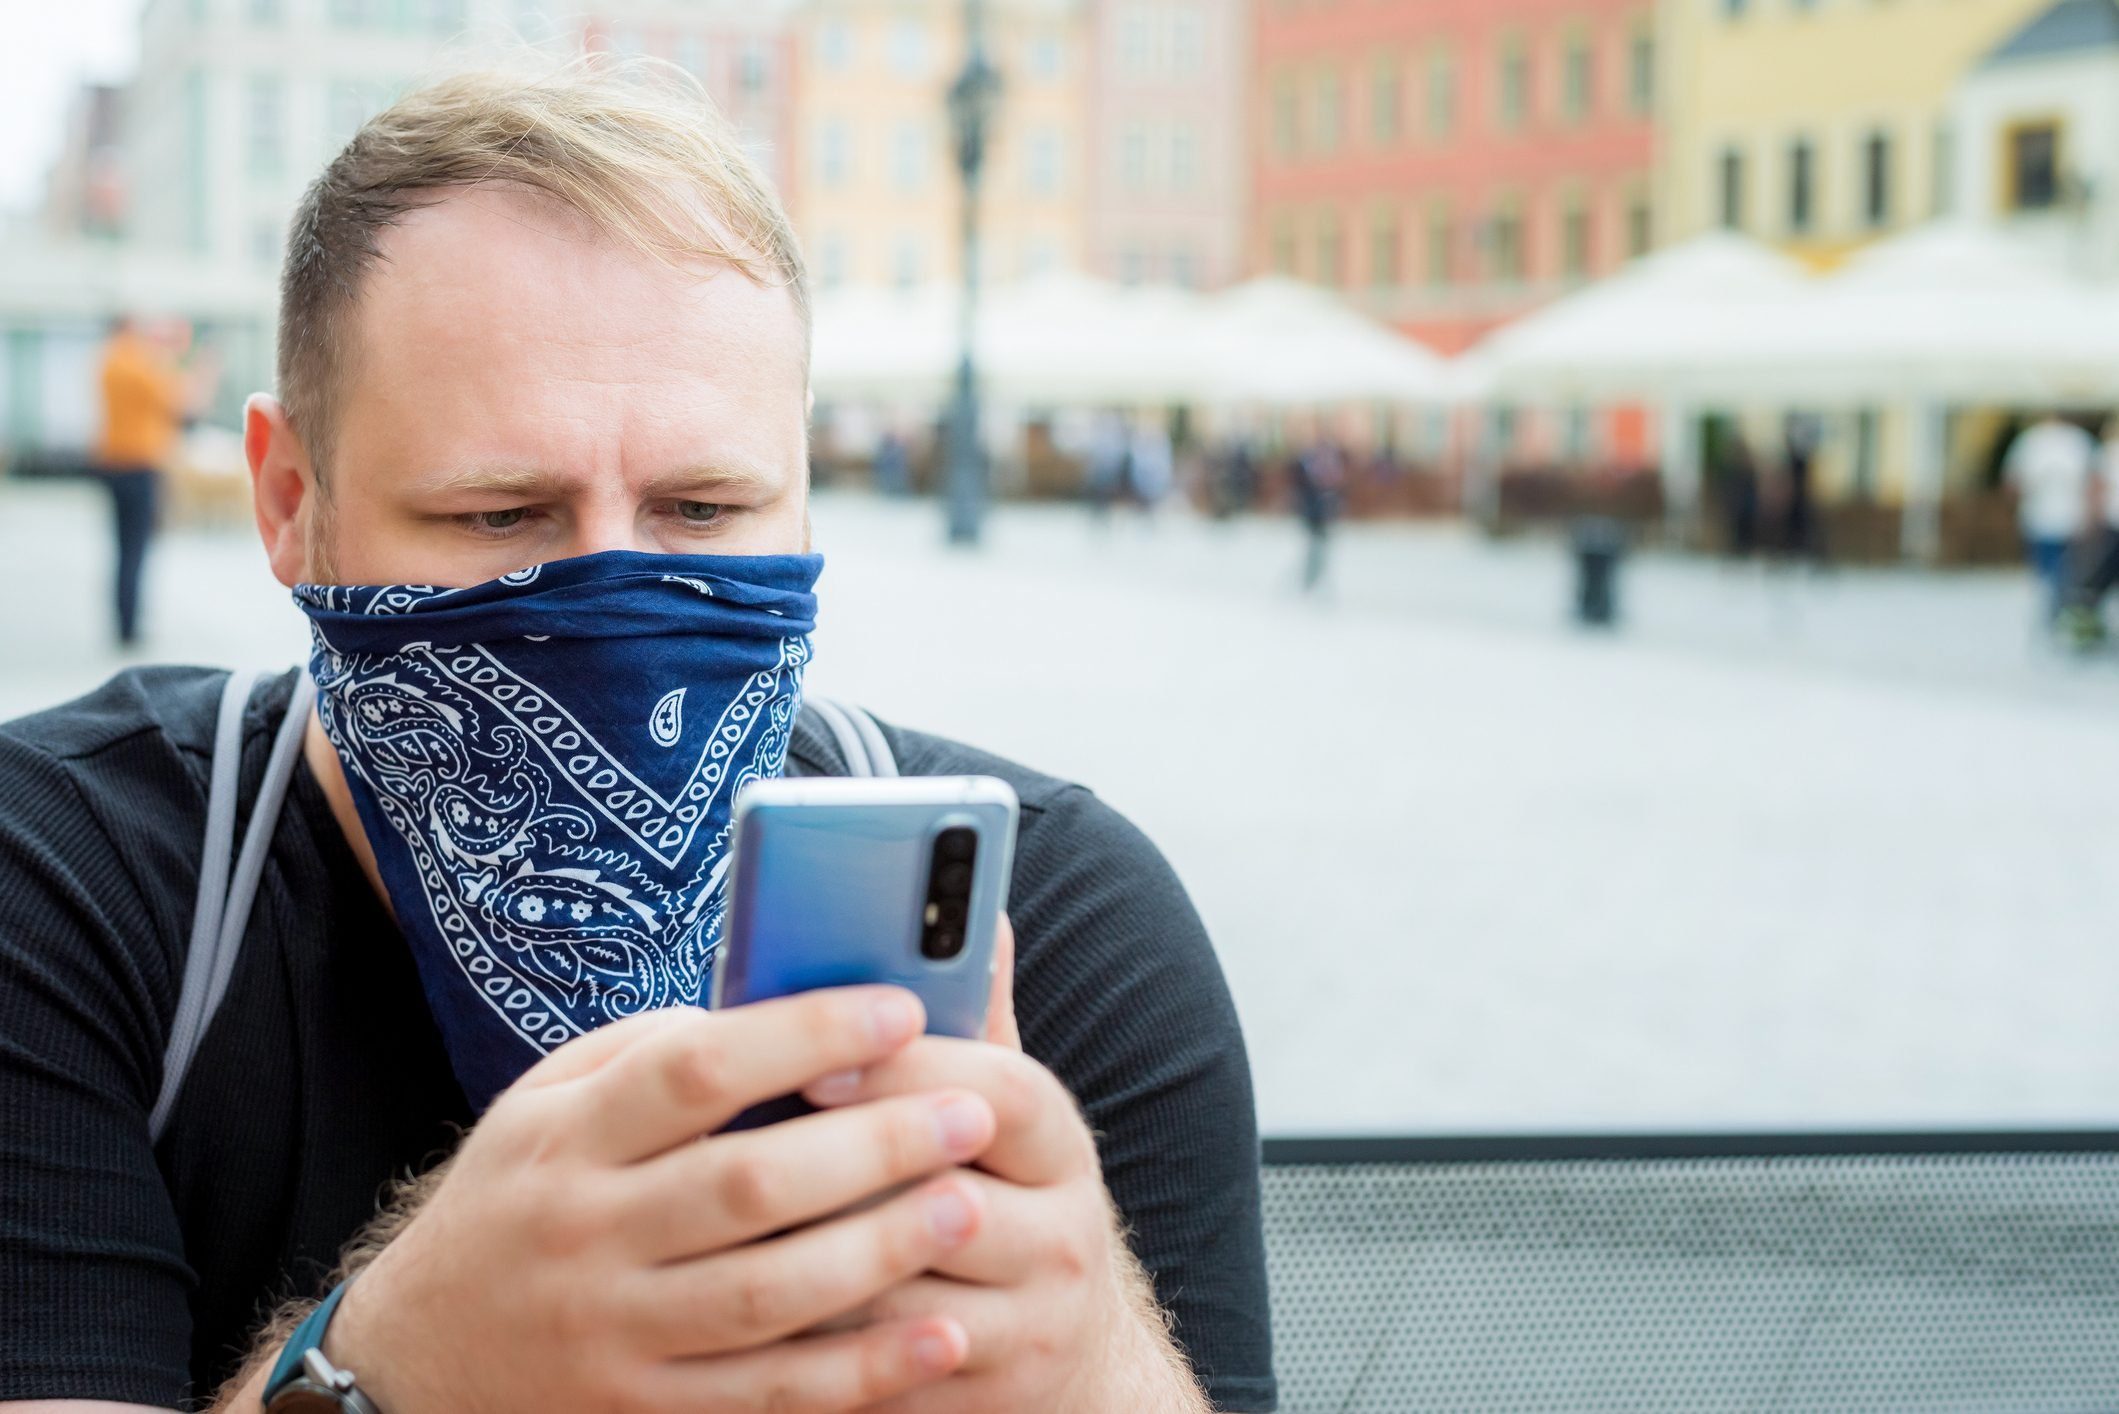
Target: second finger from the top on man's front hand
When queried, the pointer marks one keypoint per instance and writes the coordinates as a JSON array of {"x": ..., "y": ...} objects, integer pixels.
[{"x": 734, "y": 1188}]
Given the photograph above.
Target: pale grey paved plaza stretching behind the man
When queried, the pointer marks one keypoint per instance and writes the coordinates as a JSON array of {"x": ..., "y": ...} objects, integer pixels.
[{"x": 1783, "y": 853}]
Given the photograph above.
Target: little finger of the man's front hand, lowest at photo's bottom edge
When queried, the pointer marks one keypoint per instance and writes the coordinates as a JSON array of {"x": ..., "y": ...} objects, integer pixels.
[{"x": 821, "y": 1375}]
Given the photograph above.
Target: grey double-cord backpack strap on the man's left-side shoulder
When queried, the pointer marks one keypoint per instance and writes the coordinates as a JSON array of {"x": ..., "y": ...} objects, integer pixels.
[{"x": 228, "y": 879}]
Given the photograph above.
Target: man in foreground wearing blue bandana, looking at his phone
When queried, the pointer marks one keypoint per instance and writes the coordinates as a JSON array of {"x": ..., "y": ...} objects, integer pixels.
[{"x": 544, "y": 368}]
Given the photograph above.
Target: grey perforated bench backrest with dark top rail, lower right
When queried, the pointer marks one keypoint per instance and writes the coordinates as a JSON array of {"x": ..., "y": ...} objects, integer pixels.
[{"x": 1686, "y": 1275}]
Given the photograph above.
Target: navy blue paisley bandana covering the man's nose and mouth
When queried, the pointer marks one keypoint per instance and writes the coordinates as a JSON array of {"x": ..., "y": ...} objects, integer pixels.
[{"x": 546, "y": 768}]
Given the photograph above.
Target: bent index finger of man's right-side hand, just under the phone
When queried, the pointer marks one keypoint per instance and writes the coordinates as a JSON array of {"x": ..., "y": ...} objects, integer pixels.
[{"x": 1041, "y": 1137}]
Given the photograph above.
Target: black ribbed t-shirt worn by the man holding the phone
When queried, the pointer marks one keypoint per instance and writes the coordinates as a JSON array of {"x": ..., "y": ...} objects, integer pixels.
[{"x": 137, "y": 1271}]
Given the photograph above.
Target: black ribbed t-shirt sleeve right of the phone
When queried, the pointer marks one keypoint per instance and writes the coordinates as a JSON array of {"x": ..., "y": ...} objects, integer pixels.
[{"x": 1120, "y": 993}]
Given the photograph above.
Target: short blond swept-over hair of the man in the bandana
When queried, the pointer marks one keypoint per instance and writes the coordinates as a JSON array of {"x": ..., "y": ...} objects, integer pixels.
[{"x": 635, "y": 145}]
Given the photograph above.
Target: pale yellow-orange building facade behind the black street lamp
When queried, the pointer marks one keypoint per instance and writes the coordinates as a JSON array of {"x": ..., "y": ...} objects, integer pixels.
[{"x": 876, "y": 192}]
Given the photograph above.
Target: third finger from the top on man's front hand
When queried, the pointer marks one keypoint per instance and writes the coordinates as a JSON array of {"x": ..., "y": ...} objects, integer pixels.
[{"x": 766, "y": 1292}]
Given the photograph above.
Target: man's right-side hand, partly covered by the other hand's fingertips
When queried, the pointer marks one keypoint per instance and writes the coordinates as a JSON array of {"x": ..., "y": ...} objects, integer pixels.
[{"x": 1058, "y": 1313}]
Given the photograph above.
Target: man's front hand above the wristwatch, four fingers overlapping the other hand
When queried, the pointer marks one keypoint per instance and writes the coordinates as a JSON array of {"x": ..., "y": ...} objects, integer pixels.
[{"x": 590, "y": 1252}]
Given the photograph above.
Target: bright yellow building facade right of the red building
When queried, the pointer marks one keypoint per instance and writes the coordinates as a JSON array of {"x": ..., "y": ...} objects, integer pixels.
[{"x": 1815, "y": 124}]
